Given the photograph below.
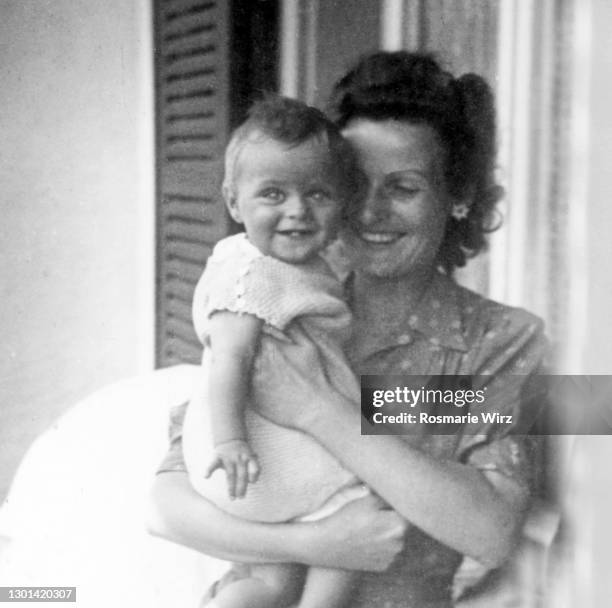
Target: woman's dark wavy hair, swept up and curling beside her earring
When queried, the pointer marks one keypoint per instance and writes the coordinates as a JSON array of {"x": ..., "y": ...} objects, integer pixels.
[{"x": 413, "y": 87}]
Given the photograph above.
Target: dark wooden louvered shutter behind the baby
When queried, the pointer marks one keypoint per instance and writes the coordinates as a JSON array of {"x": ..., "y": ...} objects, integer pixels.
[{"x": 192, "y": 91}]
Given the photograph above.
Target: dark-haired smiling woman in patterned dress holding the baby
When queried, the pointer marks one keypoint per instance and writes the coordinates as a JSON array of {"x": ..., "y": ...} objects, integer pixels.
[{"x": 426, "y": 143}]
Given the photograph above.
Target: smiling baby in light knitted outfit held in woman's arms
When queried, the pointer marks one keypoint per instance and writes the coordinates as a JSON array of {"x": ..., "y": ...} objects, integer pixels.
[{"x": 289, "y": 176}]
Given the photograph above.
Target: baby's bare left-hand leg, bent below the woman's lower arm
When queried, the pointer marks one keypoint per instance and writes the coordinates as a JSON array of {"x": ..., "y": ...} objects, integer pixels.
[{"x": 269, "y": 586}]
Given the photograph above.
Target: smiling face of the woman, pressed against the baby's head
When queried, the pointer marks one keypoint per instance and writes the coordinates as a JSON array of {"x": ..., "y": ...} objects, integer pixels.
[{"x": 400, "y": 226}]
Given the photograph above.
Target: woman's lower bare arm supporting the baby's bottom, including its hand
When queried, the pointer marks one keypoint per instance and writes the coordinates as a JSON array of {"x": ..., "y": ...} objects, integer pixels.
[{"x": 361, "y": 536}]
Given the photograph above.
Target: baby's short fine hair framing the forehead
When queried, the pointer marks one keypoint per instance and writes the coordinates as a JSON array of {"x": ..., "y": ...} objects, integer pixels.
[{"x": 291, "y": 122}]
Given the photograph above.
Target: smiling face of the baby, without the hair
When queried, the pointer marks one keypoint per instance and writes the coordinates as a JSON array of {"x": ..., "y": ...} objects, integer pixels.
[{"x": 288, "y": 198}]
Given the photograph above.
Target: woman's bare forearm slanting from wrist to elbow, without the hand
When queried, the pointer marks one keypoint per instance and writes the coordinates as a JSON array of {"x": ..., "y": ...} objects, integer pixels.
[{"x": 477, "y": 513}]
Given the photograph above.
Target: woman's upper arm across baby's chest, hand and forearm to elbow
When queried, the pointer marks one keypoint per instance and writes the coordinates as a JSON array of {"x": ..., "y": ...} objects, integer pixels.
[{"x": 476, "y": 513}]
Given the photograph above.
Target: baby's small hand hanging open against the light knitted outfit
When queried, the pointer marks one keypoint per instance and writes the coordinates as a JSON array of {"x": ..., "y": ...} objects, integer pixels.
[{"x": 240, "y": 464}]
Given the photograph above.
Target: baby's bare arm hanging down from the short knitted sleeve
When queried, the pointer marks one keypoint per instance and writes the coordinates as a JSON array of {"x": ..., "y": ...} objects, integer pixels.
[{"x": 233, "y": 343}]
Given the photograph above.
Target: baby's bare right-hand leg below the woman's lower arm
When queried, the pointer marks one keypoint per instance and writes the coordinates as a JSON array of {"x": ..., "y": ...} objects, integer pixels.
[{"x": 328, "y": 588}]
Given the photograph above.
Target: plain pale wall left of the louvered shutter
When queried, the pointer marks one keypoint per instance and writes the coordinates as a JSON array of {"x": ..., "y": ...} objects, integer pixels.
[{"x": 76, "y": 207}]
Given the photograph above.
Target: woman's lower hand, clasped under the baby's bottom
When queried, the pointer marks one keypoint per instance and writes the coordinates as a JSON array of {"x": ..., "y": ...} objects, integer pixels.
[{"x": 361, "y": 536}]
